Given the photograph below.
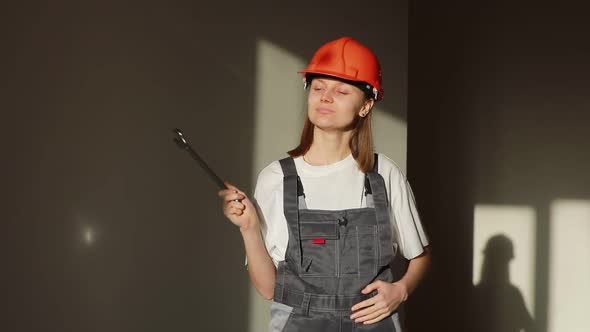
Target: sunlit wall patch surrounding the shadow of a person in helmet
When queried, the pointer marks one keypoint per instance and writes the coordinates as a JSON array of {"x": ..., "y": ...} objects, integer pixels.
[{"x": 517, "y": 225}]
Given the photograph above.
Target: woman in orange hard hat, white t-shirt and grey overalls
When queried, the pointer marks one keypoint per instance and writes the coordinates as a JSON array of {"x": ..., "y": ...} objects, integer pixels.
[{"x": 332, "y": 216}]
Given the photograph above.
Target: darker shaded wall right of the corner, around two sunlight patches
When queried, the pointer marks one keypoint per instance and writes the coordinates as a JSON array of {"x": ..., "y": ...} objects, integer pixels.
[{"x": 498, "y": 114}]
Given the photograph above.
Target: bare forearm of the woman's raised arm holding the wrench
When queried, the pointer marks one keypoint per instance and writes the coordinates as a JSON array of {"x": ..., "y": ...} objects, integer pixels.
[{"x": 261, "y": 269}]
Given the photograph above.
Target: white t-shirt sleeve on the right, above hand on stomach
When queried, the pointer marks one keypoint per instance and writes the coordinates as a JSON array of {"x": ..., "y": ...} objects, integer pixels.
[{"x": 407, "y": 226}]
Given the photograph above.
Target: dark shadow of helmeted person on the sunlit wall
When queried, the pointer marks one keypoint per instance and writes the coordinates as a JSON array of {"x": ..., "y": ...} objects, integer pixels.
[{"x": 499, "y": 305}]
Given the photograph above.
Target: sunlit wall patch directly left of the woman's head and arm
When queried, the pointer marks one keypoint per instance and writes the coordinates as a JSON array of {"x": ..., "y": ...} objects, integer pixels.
[{"x": 278, "y": 119}]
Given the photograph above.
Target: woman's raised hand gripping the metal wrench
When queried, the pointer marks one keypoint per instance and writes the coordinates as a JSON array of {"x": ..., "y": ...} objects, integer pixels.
[{"x": 238, "y": 208}]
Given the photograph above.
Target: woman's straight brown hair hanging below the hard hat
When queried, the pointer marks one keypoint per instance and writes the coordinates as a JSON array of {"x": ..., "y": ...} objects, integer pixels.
[{"x": 361, "y": 142}]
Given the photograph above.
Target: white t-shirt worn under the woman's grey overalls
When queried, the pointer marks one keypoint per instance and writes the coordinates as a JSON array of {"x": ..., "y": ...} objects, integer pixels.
[{"x": 337, "y": 186}]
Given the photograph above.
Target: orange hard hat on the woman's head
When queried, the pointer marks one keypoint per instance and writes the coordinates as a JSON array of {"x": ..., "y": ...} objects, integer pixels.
[{"x": 347, "y": 59}]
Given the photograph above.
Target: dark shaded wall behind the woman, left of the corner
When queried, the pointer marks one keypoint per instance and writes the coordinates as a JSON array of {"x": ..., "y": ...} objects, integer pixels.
[{"x": 91, "y": 92}]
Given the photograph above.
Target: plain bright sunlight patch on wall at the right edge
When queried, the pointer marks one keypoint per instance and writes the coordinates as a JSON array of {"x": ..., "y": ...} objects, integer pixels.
[{"x": 569, "y": 271}]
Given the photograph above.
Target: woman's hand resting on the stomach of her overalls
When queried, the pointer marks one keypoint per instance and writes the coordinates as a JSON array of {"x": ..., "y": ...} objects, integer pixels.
[{"x": 389, "y": 297}]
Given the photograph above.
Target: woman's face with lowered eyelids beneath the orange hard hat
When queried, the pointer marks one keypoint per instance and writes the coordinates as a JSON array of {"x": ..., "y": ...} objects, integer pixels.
[{"x": 334, "y": 105}]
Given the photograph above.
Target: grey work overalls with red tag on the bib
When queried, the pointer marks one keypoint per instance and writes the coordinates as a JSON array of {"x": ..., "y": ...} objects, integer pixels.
[{"x": 330, "y": 257}]
